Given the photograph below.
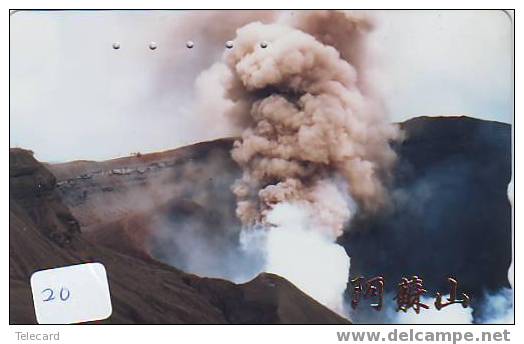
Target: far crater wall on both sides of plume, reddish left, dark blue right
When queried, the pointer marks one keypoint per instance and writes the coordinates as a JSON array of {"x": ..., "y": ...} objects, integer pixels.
[{"x": 448, "y": 214}]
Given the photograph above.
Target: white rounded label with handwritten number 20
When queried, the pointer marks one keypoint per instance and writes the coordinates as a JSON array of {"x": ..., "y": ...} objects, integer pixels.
[{"x": 71, "y": 294}]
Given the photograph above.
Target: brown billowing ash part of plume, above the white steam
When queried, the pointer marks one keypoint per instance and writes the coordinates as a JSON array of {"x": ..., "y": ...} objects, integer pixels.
[{"x": 306, "y": 121}]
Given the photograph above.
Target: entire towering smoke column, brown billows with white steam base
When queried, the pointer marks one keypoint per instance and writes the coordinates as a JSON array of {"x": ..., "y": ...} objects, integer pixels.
[{"x": 314, "y": 145}]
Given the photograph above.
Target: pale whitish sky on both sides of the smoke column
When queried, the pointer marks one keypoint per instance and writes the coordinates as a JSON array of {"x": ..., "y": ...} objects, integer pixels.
[{"x": 74, "y": 97}]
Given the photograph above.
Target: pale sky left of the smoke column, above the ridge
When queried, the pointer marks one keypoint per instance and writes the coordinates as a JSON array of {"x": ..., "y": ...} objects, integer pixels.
[{"x": 52, "y": 50}]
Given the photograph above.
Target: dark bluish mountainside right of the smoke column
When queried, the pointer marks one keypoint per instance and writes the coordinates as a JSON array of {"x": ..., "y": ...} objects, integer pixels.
[{"x": 449, "y": 216}]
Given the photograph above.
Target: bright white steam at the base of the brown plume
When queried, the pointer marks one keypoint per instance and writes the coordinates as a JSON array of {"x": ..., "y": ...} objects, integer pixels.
[{"x": 292, "y": 246}]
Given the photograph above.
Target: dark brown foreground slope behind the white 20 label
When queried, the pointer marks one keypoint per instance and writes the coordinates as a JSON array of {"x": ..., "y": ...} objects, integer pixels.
[{"x": 45, "y": 234}]
